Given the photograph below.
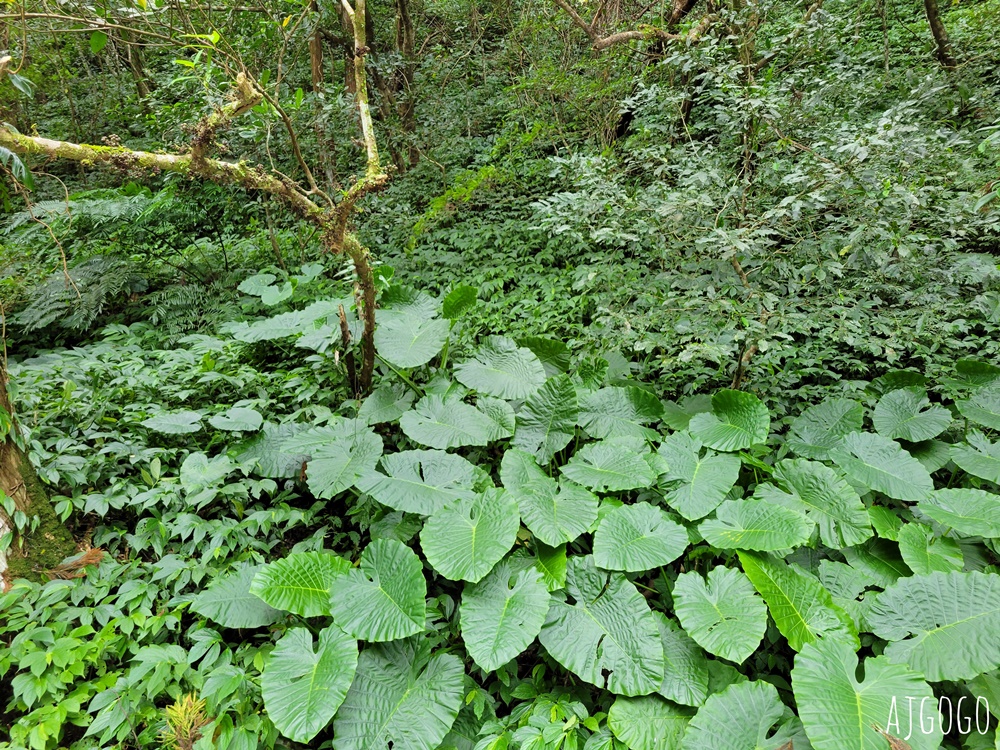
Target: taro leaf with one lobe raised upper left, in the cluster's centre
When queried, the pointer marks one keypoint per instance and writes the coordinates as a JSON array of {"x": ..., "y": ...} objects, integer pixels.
[{"x": 555, "y": 514}]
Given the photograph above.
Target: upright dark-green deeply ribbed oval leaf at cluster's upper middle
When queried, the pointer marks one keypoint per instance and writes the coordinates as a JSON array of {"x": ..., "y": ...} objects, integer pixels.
[{"x": 547, "y": 421}]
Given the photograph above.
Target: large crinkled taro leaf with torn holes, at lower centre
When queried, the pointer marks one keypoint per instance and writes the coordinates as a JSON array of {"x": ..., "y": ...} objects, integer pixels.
[{"x": 607, "y": 634}]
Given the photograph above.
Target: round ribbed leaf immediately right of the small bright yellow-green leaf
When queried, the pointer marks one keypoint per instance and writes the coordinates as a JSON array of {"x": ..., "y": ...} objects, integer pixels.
[{"x": 383, "y": 599}]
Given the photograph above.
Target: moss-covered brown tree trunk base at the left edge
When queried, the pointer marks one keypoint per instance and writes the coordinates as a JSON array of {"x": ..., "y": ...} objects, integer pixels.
[{"x": 50, "y": 542}]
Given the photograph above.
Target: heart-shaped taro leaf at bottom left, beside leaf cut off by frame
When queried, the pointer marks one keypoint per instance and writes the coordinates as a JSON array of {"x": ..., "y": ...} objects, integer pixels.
[{"x": 303, "y": 688}]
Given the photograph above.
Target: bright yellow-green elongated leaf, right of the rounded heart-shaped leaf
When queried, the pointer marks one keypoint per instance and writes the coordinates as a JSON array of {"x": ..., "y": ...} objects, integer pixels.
[{"x": 801, "y": 608}]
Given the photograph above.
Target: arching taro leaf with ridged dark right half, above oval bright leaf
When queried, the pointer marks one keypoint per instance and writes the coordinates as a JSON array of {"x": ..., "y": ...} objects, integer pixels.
[{"x": 824, "y": 496}]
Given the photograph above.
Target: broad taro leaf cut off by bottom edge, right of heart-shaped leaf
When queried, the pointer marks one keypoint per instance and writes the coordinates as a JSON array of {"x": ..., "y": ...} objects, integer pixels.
[{"x": 402, "y": 696}]
